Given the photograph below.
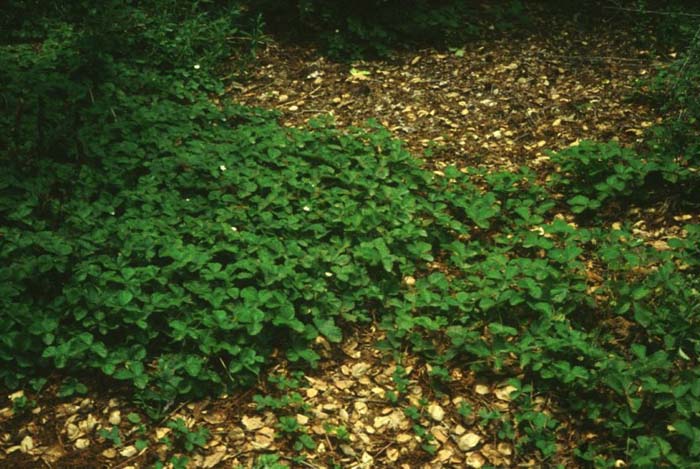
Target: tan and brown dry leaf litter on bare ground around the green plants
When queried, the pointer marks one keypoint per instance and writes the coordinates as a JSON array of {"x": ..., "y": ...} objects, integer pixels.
[{"x": 498, "y": 103}]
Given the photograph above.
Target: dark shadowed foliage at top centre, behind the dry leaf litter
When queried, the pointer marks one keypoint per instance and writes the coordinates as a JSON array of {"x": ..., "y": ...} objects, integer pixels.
[{"x": 351, "y": 30}]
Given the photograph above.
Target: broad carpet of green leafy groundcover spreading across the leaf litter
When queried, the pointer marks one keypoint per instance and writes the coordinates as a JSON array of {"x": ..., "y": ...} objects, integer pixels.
[{"x": 176, "y": 244}]
